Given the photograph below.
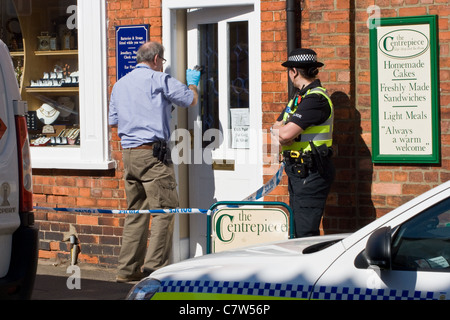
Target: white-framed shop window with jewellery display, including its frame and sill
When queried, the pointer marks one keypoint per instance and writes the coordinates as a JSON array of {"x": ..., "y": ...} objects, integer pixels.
[{"x": 58, "y": 50}]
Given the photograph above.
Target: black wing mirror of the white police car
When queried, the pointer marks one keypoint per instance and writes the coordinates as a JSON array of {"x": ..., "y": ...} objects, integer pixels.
[{"x": 378, "y": 248}]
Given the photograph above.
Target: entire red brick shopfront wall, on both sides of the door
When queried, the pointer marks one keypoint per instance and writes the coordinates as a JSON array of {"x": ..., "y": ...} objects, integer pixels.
[{"x": 337, "y": 30}]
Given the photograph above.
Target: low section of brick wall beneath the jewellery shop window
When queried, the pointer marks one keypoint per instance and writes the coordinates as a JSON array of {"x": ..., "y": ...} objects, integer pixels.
[{"x": 99, "y": 235}]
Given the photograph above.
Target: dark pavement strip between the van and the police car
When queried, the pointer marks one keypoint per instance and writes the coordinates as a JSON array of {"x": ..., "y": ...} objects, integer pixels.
[{"x": 57, "y": 282}]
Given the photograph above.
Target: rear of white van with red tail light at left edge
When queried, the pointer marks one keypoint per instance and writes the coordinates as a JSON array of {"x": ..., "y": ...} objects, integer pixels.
[{"x": 18, "y": 236}]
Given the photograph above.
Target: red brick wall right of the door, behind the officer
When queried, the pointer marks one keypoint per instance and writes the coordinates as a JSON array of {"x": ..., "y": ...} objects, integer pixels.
[{"x": 337, "y": 31}]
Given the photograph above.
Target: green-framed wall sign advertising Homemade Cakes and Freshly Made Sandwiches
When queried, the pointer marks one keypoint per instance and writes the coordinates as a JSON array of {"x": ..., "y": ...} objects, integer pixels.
[{"x": 404, "y": 90}]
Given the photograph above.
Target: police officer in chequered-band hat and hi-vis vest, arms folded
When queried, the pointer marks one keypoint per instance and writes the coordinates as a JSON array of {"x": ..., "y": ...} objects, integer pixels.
[{"x": 305, "y": 132}]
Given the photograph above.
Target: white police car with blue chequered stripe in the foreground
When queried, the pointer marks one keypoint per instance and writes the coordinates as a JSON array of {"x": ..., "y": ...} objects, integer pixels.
[{"x": 404, "y": 255}]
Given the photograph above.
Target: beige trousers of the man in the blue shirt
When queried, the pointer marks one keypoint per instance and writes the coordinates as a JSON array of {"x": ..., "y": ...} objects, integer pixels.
[{"x": 149, "y": 184}]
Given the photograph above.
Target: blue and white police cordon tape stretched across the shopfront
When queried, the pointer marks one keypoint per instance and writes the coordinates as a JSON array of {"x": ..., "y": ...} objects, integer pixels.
[{"x": 261, "y": 192}]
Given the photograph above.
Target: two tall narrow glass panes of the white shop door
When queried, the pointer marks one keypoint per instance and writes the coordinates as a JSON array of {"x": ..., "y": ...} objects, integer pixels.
[{"x": 238, "y": 81}]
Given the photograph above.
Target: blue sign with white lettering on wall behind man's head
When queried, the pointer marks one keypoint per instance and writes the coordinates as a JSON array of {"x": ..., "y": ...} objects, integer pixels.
[{"x": 128, "y": 41}]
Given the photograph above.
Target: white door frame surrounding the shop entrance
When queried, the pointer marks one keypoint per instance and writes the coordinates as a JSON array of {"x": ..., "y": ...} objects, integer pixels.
[{"x": 176, "y": 66}]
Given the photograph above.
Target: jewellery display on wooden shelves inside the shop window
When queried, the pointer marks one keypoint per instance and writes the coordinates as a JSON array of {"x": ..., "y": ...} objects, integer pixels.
[{"x": 43, "y": 40}]
